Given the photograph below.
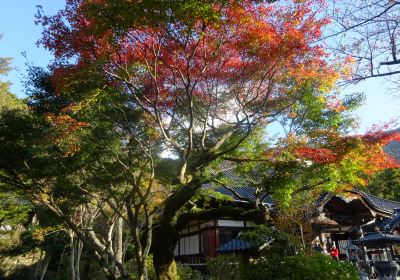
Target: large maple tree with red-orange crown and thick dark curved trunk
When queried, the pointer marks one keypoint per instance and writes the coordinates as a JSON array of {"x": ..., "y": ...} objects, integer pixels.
[{"x": 205, "y": 77}]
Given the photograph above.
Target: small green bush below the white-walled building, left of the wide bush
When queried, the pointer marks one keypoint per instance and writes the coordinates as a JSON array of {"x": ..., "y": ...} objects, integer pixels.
[{"x": 224, "y": 267}]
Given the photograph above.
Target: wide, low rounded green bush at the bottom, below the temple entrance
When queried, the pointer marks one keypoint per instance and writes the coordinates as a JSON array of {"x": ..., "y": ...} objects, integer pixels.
[{"x": 300, "y": 267}]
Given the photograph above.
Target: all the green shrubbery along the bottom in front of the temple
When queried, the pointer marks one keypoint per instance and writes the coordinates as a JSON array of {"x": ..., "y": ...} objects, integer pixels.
[{"x": 279, "y": 261}]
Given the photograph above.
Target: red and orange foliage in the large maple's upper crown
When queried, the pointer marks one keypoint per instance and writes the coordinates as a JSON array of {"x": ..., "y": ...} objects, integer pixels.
[{"x": 256, "y": 46}]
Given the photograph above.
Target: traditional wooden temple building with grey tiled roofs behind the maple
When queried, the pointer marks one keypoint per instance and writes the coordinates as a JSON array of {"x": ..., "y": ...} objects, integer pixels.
[{"x": 364, "y": 227}]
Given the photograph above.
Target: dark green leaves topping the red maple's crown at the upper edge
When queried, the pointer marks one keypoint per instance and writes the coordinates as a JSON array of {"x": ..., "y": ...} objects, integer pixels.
[{"x": 123, "y": 15}]
